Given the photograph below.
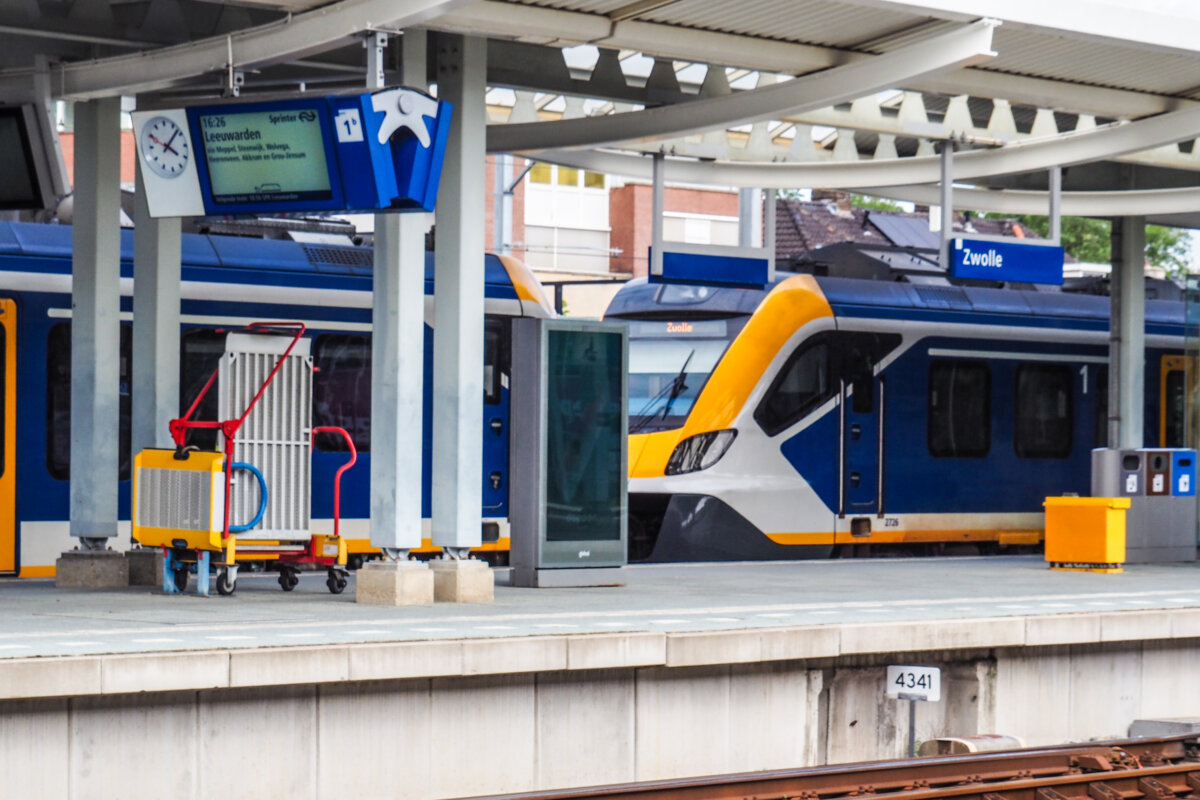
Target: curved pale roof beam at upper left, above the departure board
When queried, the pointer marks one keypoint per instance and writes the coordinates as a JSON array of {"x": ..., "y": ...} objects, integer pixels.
[{"x": 293, "y": 38}]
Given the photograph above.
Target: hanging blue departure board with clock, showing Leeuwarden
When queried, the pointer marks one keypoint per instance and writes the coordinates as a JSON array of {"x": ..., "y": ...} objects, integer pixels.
[{"x": 377, "y": 152}]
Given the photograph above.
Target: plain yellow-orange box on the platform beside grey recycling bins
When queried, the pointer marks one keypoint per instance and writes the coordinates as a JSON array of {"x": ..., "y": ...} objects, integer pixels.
[{"x": 1087, "y": 533}]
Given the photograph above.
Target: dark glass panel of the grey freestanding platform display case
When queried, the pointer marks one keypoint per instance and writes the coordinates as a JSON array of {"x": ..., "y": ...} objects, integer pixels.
[{"x": 585, "y": 479}]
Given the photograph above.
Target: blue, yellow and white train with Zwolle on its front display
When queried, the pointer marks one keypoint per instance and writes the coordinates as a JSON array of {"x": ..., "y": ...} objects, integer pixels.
[{"x": 825, "y": 413}]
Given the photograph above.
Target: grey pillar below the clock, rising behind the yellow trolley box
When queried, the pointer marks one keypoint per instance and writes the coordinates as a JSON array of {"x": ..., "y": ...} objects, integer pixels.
[{"x": 157, "y": 275}]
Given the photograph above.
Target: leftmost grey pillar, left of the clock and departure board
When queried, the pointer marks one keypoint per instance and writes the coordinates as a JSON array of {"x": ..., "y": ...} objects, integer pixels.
[{"x": 95, "y": 324}]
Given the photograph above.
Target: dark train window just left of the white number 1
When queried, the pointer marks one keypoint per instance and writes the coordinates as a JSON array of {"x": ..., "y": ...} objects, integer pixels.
[{"x": 1045, "y": 418}]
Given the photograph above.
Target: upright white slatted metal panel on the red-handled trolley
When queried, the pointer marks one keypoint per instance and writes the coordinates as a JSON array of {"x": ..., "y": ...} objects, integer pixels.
[{"x": 275, "y": 437}]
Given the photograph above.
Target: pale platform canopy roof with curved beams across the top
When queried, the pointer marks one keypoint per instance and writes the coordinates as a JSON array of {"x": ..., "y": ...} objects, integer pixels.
[{"x": 1067, "y": 69}]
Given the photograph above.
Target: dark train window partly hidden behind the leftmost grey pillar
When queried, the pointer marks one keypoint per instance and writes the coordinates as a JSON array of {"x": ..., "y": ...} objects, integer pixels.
[{"x": 58, "y": 401}]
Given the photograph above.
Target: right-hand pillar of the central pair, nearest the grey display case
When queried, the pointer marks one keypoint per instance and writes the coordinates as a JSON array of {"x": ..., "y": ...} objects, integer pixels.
[{"x": 459, "y": 300}]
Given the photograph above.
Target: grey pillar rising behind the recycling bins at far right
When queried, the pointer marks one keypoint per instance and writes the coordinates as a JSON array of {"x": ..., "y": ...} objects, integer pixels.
[{"x": 1127, "y": 336}]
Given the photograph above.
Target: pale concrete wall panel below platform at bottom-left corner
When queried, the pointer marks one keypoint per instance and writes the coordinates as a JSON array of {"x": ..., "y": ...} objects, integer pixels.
[{"x": 35, "y": 748}]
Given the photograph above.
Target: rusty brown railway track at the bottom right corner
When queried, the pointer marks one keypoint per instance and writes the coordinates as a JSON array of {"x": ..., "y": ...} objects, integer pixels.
[{"x": 1139, "y": 769}]
